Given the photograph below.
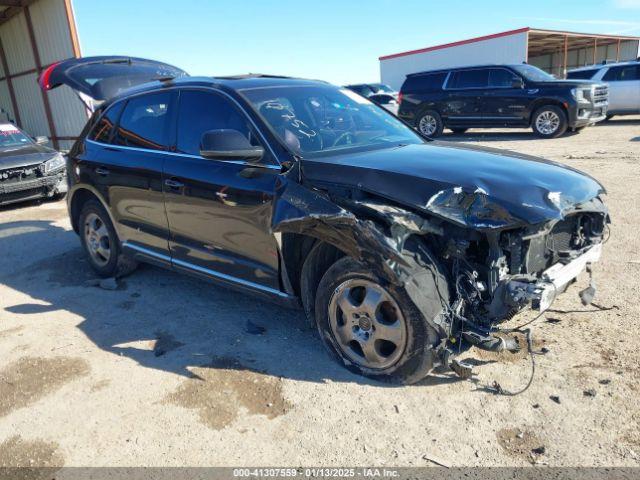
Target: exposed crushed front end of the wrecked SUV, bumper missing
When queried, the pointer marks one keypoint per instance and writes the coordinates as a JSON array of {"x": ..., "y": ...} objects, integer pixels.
[{"x": 497, "y": 272}]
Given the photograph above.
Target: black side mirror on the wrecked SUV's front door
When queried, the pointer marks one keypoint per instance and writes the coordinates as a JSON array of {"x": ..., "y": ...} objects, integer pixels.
[{"x": 226, "y": 144}]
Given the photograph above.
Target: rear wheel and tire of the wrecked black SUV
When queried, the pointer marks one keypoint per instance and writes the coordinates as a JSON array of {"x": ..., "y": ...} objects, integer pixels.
[{"x": 100, "y": 242}]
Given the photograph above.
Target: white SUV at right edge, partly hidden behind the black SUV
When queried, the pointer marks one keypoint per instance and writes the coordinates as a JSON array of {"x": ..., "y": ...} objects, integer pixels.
[{"x": 624, "y": 85}]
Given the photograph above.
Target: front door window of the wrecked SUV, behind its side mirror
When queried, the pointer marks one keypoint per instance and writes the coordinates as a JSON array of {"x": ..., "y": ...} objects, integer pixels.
[{"x": 200, "y": 112}]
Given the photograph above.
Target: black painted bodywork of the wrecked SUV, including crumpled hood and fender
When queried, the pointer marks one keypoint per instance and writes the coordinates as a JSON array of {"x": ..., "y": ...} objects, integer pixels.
[{"x": 227, "y": 221}]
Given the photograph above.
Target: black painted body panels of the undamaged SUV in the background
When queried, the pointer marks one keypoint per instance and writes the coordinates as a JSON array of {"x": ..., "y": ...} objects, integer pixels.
[{"x": 491, "y": 107}]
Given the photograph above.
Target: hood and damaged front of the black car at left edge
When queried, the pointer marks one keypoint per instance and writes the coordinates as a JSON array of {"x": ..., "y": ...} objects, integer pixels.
[{"x": 20, "y": 185}]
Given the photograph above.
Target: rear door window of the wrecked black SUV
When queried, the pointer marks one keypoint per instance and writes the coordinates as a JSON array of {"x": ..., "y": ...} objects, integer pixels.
[{"x": 145, "y": 122}]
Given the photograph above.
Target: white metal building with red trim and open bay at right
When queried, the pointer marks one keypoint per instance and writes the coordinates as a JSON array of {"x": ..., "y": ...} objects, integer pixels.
[{"x": 553, "y": 51}]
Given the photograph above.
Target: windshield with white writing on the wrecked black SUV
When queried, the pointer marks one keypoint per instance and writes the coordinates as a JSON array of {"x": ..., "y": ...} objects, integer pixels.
[{"x": 312, "y": 120}]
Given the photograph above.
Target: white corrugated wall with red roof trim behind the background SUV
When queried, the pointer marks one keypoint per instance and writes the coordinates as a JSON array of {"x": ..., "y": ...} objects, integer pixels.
[{"x": 507, "y": 49}]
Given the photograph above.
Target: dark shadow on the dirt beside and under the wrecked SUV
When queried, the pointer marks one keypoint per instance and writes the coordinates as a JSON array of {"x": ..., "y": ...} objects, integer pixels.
[{"x": 164, "y": 320}]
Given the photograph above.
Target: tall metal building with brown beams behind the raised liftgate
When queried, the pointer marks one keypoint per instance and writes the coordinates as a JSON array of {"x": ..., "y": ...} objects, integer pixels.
[{"x": 33, "y": 35}]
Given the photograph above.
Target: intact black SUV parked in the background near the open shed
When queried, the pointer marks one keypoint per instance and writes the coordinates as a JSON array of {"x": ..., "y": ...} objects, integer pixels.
[{"x": 500, "y": 96}]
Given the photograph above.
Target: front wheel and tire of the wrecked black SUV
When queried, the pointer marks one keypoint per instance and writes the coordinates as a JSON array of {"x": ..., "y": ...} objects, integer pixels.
[{"x": 372, "y": 327}]
